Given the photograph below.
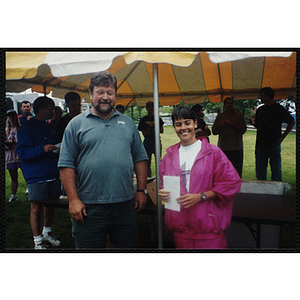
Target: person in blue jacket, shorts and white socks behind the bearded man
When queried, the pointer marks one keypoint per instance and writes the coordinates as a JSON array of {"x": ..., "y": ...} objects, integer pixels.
[{"x": 36, "y": 148}]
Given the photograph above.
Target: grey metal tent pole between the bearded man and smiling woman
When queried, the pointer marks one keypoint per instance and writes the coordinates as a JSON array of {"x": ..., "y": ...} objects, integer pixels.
[{"x": 157, "y": 151}]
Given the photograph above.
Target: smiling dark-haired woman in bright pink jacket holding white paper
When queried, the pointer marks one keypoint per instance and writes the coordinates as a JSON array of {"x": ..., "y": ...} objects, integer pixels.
[{"x": 208, "y": 183}]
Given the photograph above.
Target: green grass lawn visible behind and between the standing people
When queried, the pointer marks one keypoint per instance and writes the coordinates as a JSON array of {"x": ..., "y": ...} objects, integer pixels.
[{"x": 18, "y": 234}]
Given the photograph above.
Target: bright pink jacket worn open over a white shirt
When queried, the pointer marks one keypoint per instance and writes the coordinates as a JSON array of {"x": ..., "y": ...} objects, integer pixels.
[{"x": 211, "y": 171}]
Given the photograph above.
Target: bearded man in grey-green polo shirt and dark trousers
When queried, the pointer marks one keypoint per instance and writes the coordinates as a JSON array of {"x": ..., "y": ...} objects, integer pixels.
[{"x": 100, "y": 149}]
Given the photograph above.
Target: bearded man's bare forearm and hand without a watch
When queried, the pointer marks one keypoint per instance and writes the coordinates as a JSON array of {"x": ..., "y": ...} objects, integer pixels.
[{"x": 76, "y": 207}]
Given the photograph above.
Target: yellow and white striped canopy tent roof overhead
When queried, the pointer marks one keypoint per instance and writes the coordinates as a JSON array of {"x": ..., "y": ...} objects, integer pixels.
[{"x": 188, "y": 76}]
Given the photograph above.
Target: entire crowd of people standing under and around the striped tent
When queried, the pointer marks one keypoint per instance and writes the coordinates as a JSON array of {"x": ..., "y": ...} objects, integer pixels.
[{"x": 92, "y": 156}]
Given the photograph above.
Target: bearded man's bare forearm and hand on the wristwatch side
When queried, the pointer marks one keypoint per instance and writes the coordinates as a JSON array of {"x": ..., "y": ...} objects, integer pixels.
[{"x": 141, "y": 175}]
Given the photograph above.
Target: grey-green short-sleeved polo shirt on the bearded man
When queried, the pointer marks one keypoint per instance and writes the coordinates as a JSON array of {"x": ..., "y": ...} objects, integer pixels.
[{"x": 103, "y": 154}]
